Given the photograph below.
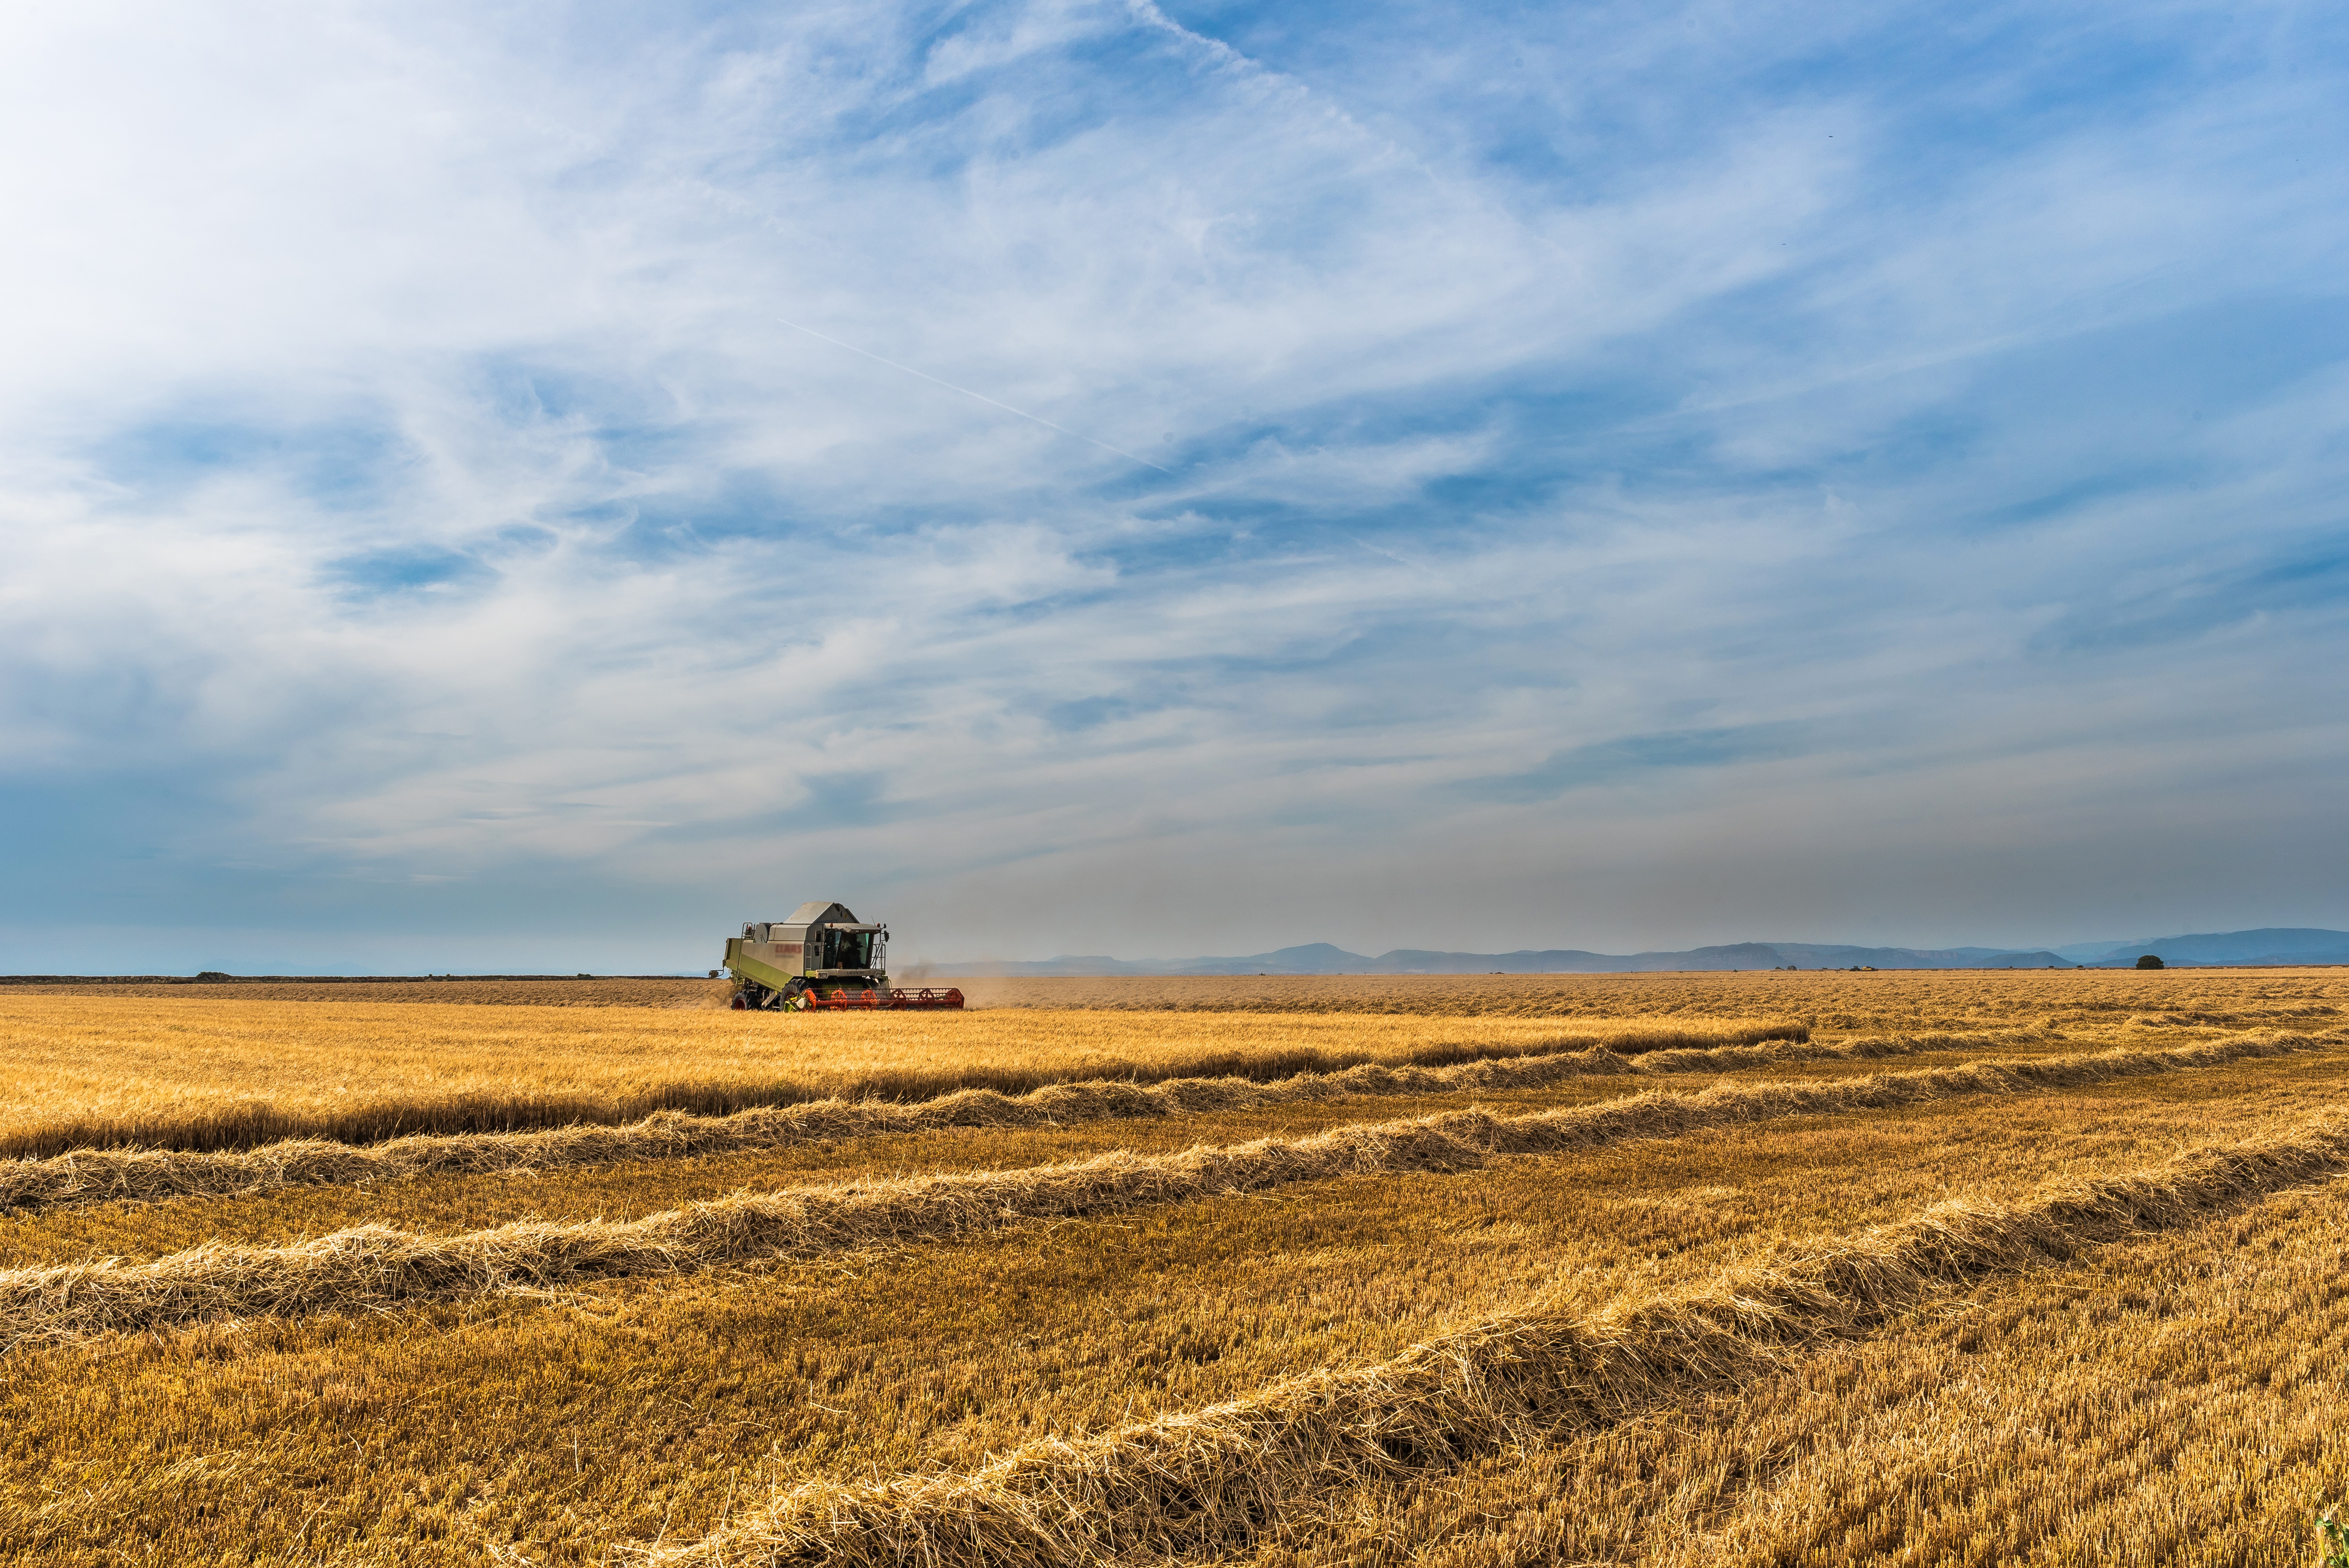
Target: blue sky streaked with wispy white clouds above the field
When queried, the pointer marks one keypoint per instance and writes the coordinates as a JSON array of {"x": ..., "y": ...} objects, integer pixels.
[{"x": 532, "y": 487}]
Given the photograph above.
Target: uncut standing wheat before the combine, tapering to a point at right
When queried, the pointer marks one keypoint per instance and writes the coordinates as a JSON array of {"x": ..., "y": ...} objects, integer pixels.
[{"x": 93, "y": 1072}]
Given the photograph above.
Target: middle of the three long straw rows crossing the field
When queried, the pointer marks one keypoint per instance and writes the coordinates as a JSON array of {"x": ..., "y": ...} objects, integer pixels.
[{"x": 375, "y": 1269}]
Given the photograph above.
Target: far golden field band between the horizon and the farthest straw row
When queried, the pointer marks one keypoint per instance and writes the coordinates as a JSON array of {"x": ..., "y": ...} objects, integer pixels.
[{"x": 184, "y": 1072}]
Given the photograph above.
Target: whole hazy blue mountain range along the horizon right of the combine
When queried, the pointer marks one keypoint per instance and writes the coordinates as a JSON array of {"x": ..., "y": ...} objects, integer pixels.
[{"x": 2263, "y": 947}]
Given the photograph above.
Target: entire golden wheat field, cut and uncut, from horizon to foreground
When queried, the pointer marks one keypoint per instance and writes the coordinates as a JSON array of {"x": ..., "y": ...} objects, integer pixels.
[{"x": 1779, "y": 1269}]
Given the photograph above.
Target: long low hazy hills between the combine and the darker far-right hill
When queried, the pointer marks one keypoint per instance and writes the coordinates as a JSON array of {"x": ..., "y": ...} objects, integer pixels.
[{"x": 1324, "y": 959}]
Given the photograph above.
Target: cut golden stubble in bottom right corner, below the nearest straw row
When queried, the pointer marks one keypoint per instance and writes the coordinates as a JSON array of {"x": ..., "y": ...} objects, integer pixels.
[{"x": 2167, "y": 1400}]
